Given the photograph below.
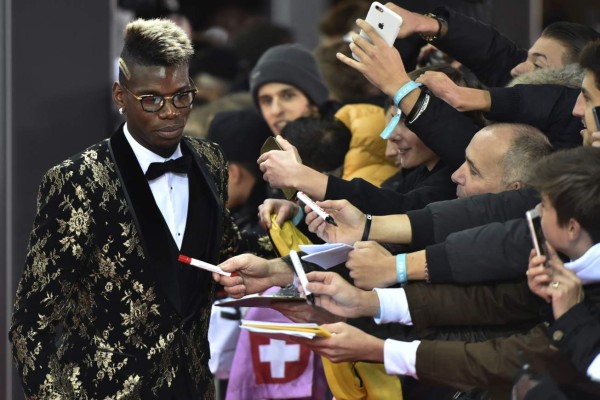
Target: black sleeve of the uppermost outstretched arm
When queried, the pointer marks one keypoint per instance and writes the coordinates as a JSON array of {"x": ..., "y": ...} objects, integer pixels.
[{"x": 490, "y": 55}]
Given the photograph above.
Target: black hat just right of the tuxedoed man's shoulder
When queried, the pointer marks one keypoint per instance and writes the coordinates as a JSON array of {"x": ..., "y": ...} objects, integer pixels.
[{"x": 241, "y": 134}]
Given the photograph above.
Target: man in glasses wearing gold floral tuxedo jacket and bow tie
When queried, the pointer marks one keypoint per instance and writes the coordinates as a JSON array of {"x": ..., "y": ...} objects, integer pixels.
[{"x": 104, "y": 310}]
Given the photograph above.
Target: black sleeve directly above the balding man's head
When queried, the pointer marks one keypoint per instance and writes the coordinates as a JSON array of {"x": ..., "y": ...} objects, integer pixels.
[{"x": 547, "y": 107}]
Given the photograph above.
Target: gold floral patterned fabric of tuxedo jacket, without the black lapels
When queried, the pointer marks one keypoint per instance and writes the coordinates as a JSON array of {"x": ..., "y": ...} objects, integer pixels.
[{"x": 88, "y": 321}]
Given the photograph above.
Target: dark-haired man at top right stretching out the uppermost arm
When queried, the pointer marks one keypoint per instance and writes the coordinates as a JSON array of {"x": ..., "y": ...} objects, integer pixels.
[{"x": 491, "y": 56}]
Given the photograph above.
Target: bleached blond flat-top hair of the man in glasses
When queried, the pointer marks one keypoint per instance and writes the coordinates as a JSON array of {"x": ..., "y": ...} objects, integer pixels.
[{"x": 154, "y": 42}]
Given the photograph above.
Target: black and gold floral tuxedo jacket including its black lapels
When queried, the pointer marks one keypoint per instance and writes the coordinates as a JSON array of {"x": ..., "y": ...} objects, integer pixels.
[{"x": 104, "y": 310}]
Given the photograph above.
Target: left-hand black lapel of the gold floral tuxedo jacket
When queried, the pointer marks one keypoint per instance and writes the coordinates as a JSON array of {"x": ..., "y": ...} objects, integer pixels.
[{"x": 154, "y": 233}]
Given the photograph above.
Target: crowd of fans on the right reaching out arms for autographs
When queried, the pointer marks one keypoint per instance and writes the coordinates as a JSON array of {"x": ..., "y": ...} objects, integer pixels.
[{"x": 497, "y": 132}]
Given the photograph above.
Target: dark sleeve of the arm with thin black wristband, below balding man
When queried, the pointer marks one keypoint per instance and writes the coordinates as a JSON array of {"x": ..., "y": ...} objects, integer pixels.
[{"x": 435, "y": 222}]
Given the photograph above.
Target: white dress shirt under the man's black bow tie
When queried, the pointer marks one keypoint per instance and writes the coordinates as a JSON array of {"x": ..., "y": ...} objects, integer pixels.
[{"x": 170, "y": 190}]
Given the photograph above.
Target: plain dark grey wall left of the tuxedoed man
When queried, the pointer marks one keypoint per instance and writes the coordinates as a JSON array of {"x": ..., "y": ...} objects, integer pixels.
[{"x": 56, "y": 79}]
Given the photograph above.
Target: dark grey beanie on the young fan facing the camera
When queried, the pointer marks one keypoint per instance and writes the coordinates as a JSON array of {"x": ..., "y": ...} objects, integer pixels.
[{"x": 291, "y": 64}]
